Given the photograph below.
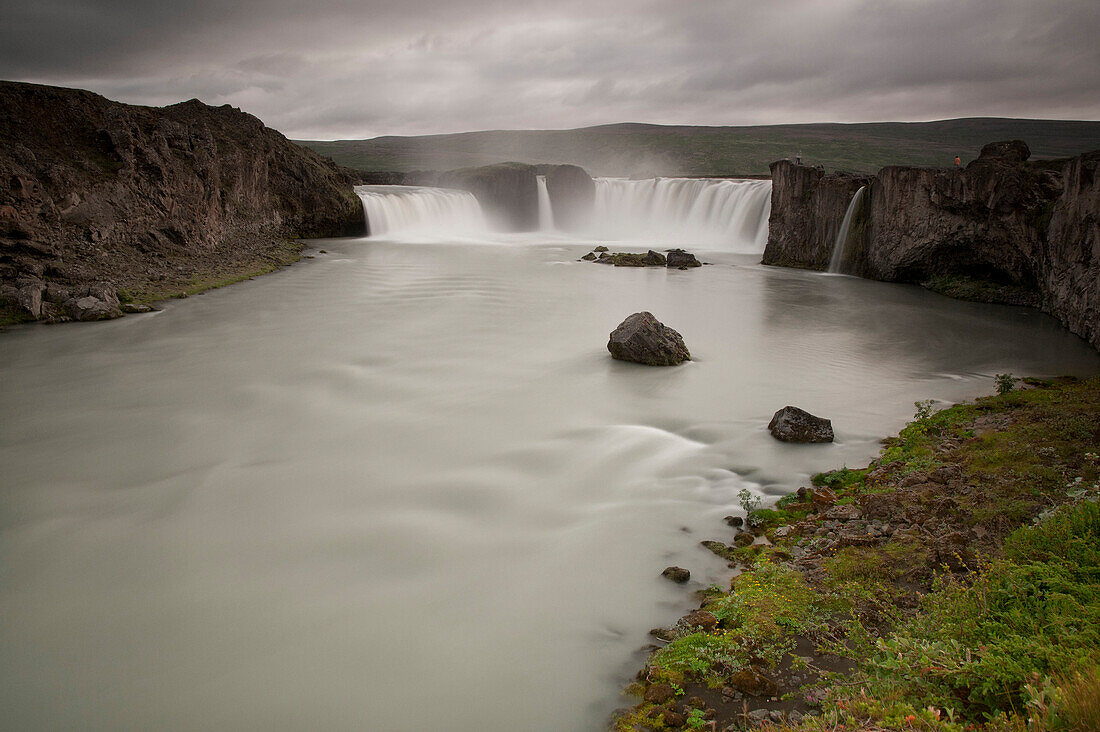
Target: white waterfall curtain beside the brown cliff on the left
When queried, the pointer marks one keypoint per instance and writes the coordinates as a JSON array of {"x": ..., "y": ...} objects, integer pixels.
[{"x": 422, "y": 212}]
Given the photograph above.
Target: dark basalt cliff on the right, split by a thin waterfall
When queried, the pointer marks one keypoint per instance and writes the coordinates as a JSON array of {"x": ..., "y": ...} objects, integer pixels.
[{"x": 1000, "y": 230}]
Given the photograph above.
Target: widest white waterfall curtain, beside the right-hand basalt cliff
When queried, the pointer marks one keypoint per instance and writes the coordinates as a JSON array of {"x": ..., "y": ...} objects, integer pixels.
[{"x": 730, "y": 215}]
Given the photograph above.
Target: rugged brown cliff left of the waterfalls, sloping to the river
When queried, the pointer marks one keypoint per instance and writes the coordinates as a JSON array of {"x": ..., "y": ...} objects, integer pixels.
[{"x": 100, "y": 198}]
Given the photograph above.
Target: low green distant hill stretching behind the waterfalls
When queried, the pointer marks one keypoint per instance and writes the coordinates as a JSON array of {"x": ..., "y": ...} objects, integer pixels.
[{"x": 658, "y": 150}]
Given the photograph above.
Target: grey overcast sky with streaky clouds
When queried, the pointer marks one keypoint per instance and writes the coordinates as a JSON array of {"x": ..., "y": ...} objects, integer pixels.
[{"x": 348, "y": 69}]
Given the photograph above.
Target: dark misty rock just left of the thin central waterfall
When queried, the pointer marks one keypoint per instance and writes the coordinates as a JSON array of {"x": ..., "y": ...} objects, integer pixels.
[{"x": 509, "y": 193}]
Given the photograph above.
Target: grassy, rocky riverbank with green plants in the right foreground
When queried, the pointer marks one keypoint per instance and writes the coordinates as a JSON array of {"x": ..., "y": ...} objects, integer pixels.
[{"x": 950, "y": 585}]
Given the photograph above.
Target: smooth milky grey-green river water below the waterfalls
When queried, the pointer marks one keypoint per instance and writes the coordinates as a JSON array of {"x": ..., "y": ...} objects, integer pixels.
[{"x": 404, "y": 487}]
